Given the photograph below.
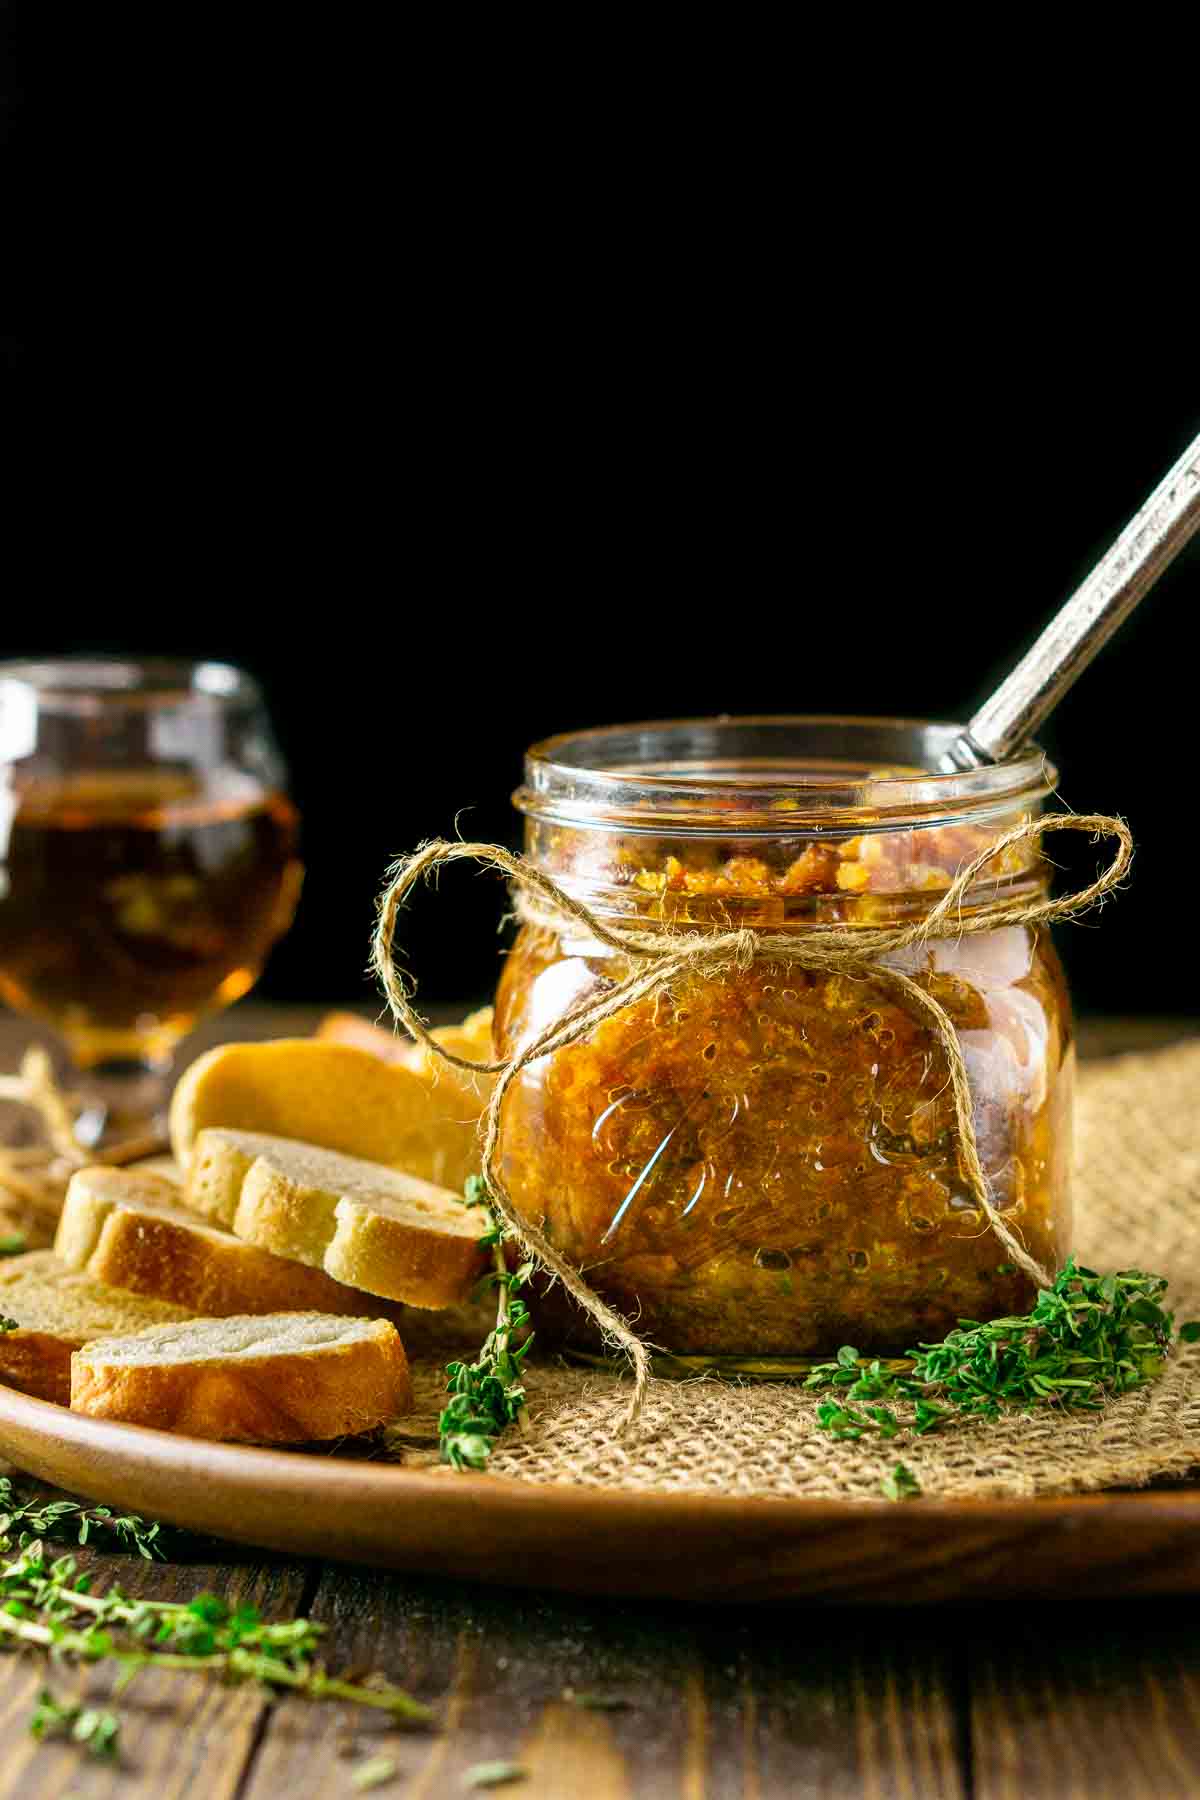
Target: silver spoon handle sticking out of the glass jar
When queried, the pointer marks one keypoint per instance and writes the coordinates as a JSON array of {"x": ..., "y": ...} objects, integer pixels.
[{"x": 1106, "y": 598}]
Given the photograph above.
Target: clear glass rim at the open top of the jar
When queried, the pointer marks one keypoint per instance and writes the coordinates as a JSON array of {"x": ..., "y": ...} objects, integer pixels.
[{"x": 764, "y": 775}]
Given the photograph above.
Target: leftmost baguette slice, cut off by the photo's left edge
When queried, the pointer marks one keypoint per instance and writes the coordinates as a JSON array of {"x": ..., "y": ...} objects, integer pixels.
[{"x": 57, "y": 1311}]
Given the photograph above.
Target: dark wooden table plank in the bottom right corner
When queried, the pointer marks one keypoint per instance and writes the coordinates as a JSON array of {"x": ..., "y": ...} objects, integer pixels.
[{"x": 1088, "y": 1704}]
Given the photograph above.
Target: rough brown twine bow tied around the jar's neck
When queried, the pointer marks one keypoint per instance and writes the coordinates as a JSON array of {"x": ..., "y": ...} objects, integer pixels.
[{"x": 663, "y": 957}]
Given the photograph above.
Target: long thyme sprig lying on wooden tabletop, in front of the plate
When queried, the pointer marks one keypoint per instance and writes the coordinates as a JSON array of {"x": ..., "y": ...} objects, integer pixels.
[{"x": 48, "y": 1606}]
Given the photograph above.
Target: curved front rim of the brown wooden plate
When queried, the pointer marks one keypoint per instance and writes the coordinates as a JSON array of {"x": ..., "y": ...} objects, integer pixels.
[{"x": 600, "y": 1542}]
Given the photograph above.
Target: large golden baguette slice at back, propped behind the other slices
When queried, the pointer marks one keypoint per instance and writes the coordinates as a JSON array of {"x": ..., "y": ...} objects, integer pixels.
[{"x": 332, "y": 1095}]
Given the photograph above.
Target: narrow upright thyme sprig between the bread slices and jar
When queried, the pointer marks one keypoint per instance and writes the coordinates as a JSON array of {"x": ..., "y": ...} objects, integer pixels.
[{"x": 488, "y": 1396}]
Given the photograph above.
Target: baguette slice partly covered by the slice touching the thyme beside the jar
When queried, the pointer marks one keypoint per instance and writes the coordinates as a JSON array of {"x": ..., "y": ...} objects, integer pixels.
[{"x": 127, "y": 1228}]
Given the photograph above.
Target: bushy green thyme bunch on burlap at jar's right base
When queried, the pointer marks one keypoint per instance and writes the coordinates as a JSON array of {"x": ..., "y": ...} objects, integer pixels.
[{"x": 1088, "y": 1340}]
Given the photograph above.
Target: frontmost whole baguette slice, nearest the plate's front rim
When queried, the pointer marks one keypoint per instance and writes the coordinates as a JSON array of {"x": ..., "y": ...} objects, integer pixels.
[{"x": 289, "y": 1378}]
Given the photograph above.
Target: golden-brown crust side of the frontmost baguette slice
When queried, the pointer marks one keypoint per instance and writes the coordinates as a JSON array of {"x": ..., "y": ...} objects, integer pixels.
[{"x": 298, "y": 1396}]
